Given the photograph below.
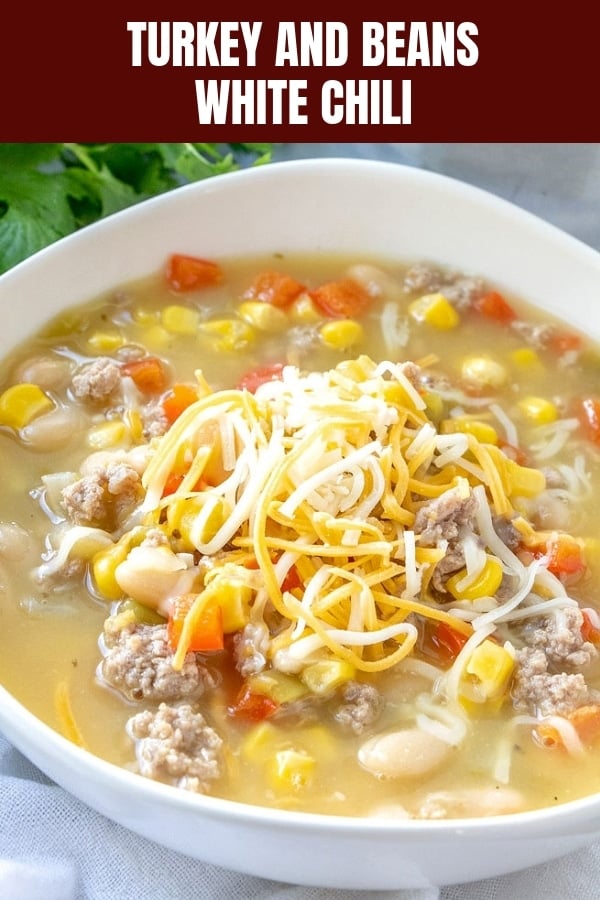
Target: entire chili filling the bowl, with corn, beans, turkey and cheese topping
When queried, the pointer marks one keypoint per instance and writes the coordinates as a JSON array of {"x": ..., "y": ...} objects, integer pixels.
[{"x": 309, "y": 532}]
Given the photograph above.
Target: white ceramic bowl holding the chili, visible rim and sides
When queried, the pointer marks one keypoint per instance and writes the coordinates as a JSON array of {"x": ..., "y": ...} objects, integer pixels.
[{"x": 339, "y": 205}]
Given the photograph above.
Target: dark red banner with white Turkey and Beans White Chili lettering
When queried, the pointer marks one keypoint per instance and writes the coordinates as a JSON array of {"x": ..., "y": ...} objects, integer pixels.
[{"x": 399, "y": 72}]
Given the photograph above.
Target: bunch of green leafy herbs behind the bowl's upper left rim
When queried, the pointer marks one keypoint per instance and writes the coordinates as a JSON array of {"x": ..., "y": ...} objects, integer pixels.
[{"x": 48, "y": 190}]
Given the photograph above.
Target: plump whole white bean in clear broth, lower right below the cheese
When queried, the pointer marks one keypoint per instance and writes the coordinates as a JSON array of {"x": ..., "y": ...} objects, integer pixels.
[{"x": 410, "y": 753}]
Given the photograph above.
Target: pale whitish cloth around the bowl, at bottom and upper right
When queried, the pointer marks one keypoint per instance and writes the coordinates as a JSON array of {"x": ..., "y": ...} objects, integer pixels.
[{"x": 53, "y": 848}]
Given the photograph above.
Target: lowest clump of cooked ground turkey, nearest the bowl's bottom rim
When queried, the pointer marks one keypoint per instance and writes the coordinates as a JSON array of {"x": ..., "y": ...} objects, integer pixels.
[{"x": 174, "y": 744}]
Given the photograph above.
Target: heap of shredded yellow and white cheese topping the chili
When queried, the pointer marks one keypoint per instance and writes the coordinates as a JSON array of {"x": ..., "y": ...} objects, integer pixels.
[{"x": 325, "y": 473}]
